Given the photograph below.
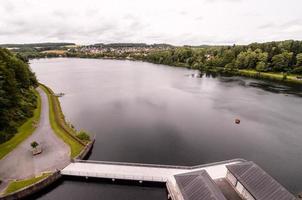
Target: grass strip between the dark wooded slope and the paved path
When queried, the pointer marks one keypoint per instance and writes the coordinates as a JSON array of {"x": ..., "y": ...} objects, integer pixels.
[{"x": 24, "y": 131}]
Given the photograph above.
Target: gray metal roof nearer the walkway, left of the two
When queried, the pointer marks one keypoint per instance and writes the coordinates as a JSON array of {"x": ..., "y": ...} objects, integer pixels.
[{"x": 198, "y": 186}]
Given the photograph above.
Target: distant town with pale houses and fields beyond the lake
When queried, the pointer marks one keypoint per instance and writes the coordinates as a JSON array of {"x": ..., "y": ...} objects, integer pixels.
[{"x": 66, "y": 49}]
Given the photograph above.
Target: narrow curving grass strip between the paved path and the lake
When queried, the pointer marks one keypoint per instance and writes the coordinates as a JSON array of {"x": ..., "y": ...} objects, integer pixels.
[{"x": 74, "y": 145}]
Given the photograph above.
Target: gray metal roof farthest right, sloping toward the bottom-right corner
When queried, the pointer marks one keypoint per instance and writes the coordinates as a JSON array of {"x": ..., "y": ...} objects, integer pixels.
[{"x": 260, "y": 184}]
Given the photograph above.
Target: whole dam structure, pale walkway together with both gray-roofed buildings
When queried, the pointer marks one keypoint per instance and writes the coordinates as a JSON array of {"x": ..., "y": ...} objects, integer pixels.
[{"x": 226, "y": 180}]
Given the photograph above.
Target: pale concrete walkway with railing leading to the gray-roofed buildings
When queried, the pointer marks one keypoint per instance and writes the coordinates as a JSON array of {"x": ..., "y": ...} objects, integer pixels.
[{"x": 144, "y": 172}]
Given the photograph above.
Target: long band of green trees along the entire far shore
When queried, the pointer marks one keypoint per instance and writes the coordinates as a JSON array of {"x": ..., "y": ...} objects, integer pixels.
[{"x": 281, "y": 56}]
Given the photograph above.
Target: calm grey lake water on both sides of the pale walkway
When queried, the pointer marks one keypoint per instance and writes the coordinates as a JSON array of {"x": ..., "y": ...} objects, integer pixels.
[{"x": 147, "y": 113}]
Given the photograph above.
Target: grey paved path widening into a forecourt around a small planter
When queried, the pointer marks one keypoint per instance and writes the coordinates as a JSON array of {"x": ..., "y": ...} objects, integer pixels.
[{"x": 20, "y": 163}]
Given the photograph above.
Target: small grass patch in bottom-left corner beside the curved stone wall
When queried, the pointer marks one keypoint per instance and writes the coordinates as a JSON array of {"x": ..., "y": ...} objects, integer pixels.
[{"x": 17, "y": 185}]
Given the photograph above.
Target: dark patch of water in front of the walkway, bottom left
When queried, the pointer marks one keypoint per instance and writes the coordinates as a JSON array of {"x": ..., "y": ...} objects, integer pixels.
[{"x": 71, "y": 188}]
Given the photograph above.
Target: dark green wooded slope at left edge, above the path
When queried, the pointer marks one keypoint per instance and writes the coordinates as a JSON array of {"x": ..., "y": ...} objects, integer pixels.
[{"x": 17, "y": 97}]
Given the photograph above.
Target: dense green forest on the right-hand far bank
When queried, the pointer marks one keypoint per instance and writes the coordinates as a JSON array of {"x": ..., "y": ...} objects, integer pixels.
[{"x": 284, "y": 56}]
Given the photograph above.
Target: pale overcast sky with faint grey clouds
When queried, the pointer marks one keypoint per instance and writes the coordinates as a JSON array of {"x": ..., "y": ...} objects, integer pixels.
[{"x": 151, "y": 21}]
